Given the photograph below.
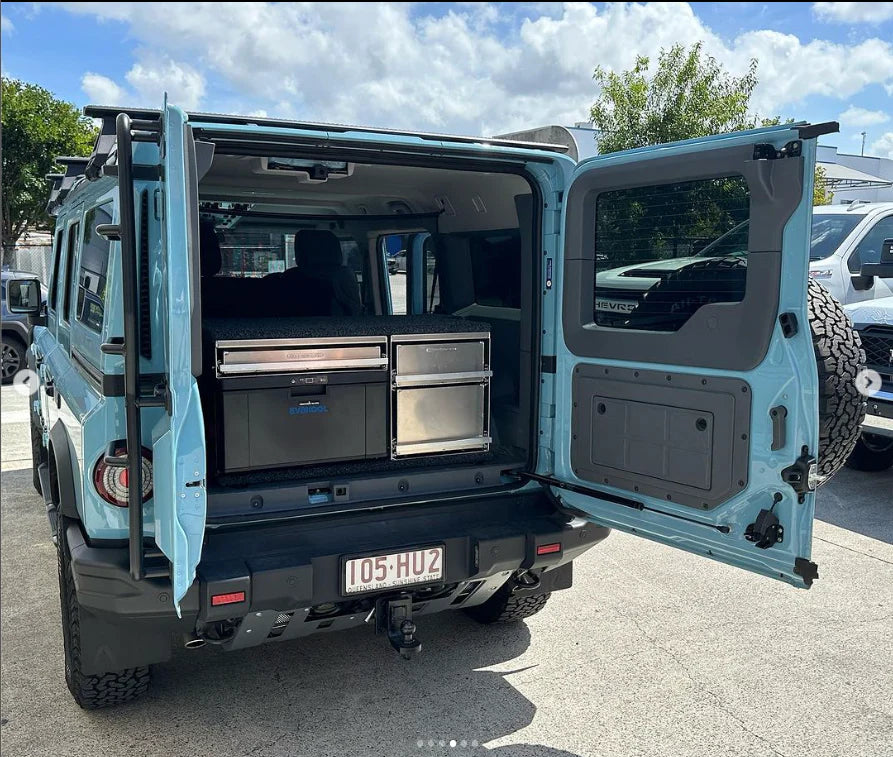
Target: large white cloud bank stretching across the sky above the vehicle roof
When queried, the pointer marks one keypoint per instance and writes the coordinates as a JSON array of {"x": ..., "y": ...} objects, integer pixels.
[{"x": 474, "y": 68}]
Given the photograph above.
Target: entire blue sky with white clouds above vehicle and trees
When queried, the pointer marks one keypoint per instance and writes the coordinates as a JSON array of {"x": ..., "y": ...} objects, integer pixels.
[{"x": 475, "y": 68}]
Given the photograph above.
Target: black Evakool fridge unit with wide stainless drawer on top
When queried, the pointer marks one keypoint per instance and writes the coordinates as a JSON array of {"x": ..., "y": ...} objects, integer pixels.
[{"x": 290, "y": 402}]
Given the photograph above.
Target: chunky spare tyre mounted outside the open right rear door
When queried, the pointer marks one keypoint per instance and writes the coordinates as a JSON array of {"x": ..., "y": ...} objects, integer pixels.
[{"x": 839, "y": 357}]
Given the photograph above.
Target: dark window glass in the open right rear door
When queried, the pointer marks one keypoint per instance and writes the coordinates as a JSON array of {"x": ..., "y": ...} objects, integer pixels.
[{"x": 664, "y": 251}]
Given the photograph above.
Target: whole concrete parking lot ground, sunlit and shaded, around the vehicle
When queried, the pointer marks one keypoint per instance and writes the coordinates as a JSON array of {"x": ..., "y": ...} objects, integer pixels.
[{"x": 652, "y": 652}]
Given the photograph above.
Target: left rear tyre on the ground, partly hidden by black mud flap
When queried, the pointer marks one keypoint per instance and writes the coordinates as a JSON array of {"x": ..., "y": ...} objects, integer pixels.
[{"x": 91, "y": 692}]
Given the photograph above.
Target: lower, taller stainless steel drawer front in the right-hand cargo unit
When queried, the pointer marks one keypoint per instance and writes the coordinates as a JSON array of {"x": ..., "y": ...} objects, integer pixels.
[{"x": 441, "y": 419}]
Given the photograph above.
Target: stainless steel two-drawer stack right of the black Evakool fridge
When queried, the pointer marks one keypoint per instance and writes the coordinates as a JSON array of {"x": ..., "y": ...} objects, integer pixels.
[{"x": 441, "y": 393}]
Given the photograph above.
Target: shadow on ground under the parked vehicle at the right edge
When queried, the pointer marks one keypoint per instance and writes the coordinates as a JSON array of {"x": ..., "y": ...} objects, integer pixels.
[{"x": 860, "y": 502}]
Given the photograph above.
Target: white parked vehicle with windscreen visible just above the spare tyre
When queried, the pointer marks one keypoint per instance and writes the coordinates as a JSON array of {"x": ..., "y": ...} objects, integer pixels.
[{"x": 844, "y": 238}]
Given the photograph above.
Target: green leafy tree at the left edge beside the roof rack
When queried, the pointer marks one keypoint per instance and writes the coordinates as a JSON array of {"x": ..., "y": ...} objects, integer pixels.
[{"x": 36, "y": 128}]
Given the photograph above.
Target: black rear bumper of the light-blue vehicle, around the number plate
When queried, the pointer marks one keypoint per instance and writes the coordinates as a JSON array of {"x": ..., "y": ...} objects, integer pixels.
[{"x": 293, "y": 566}]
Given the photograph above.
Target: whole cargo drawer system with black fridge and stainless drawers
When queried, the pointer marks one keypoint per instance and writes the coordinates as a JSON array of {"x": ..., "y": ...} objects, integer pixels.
[{"x": 285, "y": 402}]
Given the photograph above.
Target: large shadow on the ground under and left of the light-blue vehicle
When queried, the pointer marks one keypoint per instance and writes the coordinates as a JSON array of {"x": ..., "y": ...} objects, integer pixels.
[{"x": 343, "y": 694}]
